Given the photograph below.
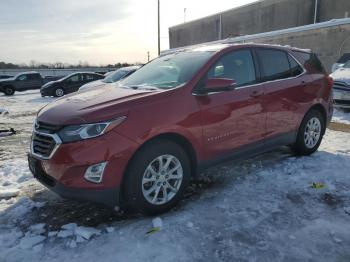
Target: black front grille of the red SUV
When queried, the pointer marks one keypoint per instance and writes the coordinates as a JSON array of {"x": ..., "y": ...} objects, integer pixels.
[{"x": 43, "y": 145}]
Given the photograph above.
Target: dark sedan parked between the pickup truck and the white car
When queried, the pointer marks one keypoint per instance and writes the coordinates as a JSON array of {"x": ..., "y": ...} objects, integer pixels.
[{"x": 68, "y": 84}]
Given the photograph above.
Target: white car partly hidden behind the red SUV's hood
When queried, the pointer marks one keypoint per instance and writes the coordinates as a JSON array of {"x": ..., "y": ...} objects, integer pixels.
[{"x": 111, "y": 77}]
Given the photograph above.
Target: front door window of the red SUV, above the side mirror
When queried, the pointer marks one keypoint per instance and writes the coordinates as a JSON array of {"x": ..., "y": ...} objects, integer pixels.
[{"x": 237, "y": 65}]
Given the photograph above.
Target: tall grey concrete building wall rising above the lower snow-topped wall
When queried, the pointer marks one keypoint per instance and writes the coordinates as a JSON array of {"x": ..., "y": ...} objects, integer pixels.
[{"x": 258, "y": 17}]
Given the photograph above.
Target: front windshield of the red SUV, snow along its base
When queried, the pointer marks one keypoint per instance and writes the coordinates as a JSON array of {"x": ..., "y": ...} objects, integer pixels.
[{"x": 168, "y": 71}]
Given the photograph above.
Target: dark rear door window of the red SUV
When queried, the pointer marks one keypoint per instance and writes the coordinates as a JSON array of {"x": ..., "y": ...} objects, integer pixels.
[{"x": 274, "y": 64}]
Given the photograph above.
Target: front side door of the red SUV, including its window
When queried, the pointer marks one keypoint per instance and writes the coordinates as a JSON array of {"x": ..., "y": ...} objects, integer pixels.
[{"x": 235, "y": 118}]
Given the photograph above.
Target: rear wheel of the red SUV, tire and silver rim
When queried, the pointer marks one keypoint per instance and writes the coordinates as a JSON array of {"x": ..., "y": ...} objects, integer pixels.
[{"x": 310, "y": 133}]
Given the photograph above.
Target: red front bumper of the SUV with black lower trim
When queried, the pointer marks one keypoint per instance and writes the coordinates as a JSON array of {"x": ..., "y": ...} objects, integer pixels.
[{"x": 64, "y": 171}]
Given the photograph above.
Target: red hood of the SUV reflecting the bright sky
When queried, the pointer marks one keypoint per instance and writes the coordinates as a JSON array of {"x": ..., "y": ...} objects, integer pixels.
[{"x": 92, "y": 106}]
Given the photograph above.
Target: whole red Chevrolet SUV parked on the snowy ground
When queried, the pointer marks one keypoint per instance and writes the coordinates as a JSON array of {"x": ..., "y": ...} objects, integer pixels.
[{"x": 136, "y": 144}]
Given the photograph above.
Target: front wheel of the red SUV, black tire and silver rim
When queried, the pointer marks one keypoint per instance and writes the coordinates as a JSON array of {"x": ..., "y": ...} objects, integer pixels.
[{"x": 156, "y": 178}]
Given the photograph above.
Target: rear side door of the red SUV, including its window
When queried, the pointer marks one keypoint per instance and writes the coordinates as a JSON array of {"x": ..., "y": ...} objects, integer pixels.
[{"x": 284, "y": 79}]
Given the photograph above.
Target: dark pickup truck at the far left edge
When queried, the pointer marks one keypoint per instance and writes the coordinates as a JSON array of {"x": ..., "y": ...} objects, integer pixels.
[{"x": 22, "y": 82}]
